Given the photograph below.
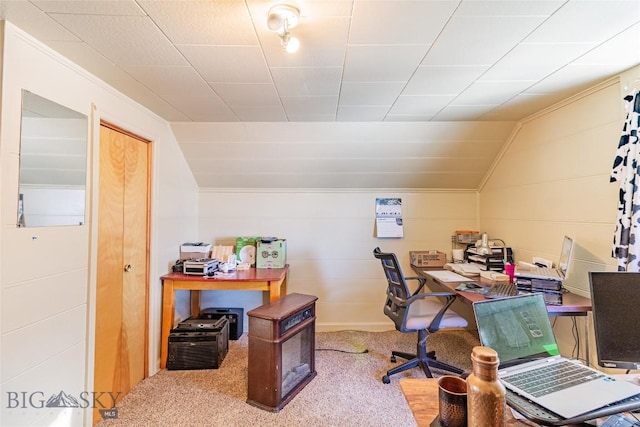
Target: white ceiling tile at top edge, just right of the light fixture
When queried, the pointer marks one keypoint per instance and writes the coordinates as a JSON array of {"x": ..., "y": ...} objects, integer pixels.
[{"x": 398, "y": 22}]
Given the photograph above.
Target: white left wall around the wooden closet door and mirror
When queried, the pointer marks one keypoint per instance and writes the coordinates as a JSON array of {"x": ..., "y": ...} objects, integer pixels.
[{"x": 47, "y": 276}]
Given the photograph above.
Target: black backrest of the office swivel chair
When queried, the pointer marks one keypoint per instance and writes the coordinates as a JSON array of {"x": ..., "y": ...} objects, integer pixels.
[{"x": 397, "y": 290}]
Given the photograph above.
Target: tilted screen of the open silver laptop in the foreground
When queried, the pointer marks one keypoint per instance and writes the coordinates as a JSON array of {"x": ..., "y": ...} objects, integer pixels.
[{"x": 517, "y": 328}]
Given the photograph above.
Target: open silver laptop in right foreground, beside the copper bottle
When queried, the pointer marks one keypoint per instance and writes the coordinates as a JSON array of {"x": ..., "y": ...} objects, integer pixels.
[{"x": 518, "y": 328}]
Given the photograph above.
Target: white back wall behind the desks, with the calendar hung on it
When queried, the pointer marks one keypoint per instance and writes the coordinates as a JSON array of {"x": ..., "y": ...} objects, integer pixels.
[{"x": 330, "y": 242}]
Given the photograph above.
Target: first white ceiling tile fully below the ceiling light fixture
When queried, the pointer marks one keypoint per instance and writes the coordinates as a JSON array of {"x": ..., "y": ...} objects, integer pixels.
[{"x": 307, "y": 81}]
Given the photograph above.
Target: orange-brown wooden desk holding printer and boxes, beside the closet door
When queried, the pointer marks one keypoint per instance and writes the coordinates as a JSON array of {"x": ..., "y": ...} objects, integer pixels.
[{"x": 272, "y": 280}]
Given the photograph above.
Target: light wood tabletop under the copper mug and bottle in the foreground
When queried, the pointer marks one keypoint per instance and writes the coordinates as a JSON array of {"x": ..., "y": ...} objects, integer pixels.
[{"x": 422, "y": 397}]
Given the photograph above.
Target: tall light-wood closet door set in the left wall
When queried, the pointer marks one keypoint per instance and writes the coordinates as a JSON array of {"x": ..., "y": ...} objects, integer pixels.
[{"x": 122, "y": 269}]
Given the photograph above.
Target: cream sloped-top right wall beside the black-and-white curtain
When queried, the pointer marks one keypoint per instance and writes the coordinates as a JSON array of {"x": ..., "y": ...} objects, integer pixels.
[{"x": 553, "y": 179}]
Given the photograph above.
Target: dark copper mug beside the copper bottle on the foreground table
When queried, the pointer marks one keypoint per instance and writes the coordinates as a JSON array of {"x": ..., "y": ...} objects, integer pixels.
[{"x": 452, "y": 401}]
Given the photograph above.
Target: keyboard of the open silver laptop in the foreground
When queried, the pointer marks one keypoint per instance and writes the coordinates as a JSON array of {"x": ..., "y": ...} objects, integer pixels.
[{"x": 552, "y": 378}]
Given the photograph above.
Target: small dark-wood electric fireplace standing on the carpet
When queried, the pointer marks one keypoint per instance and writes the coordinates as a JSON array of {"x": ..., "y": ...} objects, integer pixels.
[{"x": 281, "y": 350}]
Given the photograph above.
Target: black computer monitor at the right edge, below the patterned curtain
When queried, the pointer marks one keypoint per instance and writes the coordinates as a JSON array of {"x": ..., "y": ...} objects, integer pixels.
[{"x": 615, "y": 297}]
